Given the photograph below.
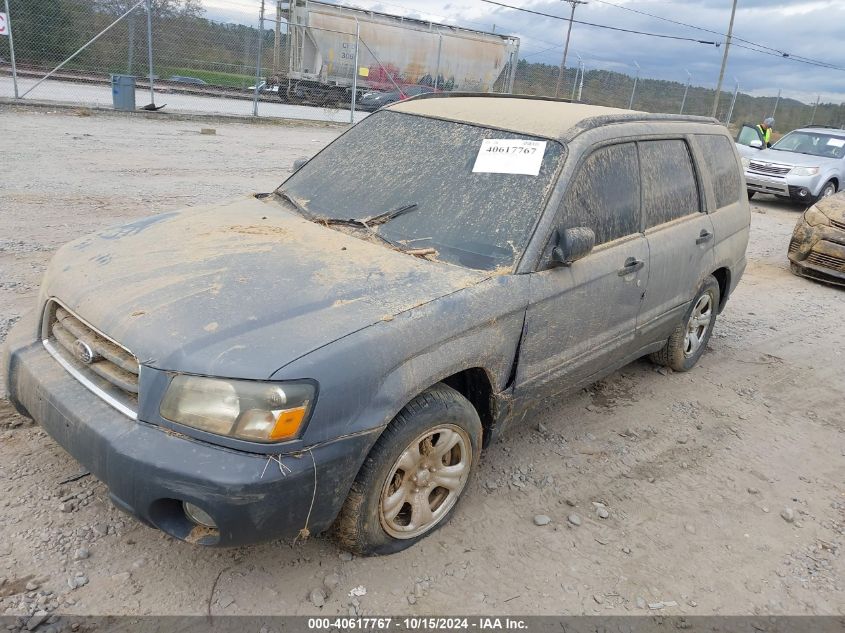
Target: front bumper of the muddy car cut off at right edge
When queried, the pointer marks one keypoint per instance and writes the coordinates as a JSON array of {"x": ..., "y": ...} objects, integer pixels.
[{"x": 818, "y": 252}]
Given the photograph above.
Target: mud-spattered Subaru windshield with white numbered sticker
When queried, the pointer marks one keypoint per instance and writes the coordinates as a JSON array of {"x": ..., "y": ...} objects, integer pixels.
[{"x": 453, "y": 196}]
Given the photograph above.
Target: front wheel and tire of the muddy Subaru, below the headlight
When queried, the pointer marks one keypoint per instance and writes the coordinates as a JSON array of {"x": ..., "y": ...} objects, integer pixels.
[{"x": 385, "y": 510}]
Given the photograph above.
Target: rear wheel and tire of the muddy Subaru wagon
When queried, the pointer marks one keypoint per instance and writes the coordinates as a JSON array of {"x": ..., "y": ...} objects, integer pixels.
[{"x": 680, "y": 352}]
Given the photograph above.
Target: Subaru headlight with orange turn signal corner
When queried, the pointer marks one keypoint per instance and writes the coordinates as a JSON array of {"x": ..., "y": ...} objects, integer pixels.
[{"x": 246, "y": 410}]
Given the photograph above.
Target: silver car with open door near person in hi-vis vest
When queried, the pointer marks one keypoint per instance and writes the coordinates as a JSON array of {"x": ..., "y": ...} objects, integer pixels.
[{"x": 806, "y": 165}]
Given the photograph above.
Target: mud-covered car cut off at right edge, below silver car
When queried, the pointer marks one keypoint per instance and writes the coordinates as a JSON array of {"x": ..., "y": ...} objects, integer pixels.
[{"x": 817, "y": 247}]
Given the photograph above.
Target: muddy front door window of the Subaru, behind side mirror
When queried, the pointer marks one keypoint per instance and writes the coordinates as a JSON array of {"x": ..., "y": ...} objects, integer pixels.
[{"x": 605, "y": 194}]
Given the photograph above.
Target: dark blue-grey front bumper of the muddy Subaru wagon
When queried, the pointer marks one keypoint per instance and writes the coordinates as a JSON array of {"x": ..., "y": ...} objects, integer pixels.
[{"x": 151, "y": 471}]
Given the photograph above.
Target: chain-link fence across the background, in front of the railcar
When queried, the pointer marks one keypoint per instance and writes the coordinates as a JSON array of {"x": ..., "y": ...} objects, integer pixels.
[{"x": 314, "y": 60}]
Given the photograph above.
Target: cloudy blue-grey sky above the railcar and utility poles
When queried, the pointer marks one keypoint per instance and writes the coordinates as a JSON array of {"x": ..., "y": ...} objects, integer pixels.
[{"x": 810, "y": 28}]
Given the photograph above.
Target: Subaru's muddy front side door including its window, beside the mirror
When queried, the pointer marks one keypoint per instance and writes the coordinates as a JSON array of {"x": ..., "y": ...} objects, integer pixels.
[{"x": 582, "y": 318}]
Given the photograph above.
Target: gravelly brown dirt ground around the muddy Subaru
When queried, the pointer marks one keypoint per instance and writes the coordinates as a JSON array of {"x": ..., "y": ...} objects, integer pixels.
[{"x": 696, "y": 470}]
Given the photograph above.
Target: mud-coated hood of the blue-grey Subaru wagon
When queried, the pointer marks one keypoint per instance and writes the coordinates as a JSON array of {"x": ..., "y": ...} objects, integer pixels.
[{"x": 238, "y": 289}]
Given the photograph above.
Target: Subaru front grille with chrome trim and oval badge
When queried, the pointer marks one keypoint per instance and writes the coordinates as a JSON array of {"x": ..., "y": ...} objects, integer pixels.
[{"x": 100, "y": 364}]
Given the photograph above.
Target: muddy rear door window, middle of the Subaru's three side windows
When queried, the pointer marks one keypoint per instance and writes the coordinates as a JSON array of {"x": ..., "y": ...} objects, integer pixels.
[{"x": 670, "y": 190}]
